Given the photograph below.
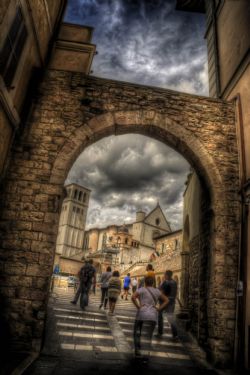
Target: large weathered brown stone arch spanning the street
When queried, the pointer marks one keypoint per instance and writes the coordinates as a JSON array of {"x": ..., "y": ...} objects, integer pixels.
[{"x": 70, "y": 112}]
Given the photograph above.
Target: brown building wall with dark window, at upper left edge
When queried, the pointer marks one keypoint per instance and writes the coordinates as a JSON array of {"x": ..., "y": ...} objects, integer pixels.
[{"x": 27, "y": 30}]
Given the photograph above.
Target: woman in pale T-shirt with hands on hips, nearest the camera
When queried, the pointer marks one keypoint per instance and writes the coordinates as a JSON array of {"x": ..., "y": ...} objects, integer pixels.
[{"x": 145, "y": 299}]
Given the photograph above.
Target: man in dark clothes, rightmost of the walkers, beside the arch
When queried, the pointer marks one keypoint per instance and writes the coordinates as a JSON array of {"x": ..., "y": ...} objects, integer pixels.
[{"x": 169, "y": 289}]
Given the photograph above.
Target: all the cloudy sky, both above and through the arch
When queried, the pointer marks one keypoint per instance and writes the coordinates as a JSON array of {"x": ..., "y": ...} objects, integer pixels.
[{"x": 146, "y": 42}]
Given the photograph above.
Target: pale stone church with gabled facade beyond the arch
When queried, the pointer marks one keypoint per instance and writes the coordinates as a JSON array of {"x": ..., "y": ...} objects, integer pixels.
[{"x": 134, "y": 242}]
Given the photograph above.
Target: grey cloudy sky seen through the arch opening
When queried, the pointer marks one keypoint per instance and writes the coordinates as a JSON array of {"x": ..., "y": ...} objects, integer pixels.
[{"x": 127, "y": 173}]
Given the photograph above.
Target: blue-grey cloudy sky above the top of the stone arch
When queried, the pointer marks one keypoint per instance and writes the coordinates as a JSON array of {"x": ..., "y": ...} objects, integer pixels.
[{"x": 147, "y": 42}]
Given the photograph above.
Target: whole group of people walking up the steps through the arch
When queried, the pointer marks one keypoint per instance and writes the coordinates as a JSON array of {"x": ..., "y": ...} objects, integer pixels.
[{"x": 151, "y": 302}]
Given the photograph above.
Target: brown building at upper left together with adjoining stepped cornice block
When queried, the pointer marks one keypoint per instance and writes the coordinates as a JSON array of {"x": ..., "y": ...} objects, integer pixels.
[{"x": 32, "y": 37}]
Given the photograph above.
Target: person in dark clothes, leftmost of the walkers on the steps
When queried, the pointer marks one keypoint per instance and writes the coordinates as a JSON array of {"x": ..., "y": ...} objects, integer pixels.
[{"x": 87, "y": 275}]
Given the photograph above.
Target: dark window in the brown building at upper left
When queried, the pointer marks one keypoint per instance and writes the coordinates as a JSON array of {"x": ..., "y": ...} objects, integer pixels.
[{"x": 12, "y": 48}]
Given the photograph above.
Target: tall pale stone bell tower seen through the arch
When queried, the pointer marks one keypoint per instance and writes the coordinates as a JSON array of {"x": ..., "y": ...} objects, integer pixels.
[{"x": 69, "y": 243}]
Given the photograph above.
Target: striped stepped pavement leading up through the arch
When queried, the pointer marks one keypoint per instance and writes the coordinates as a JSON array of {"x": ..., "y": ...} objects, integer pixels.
[{"x": 91, "y": 342}]
